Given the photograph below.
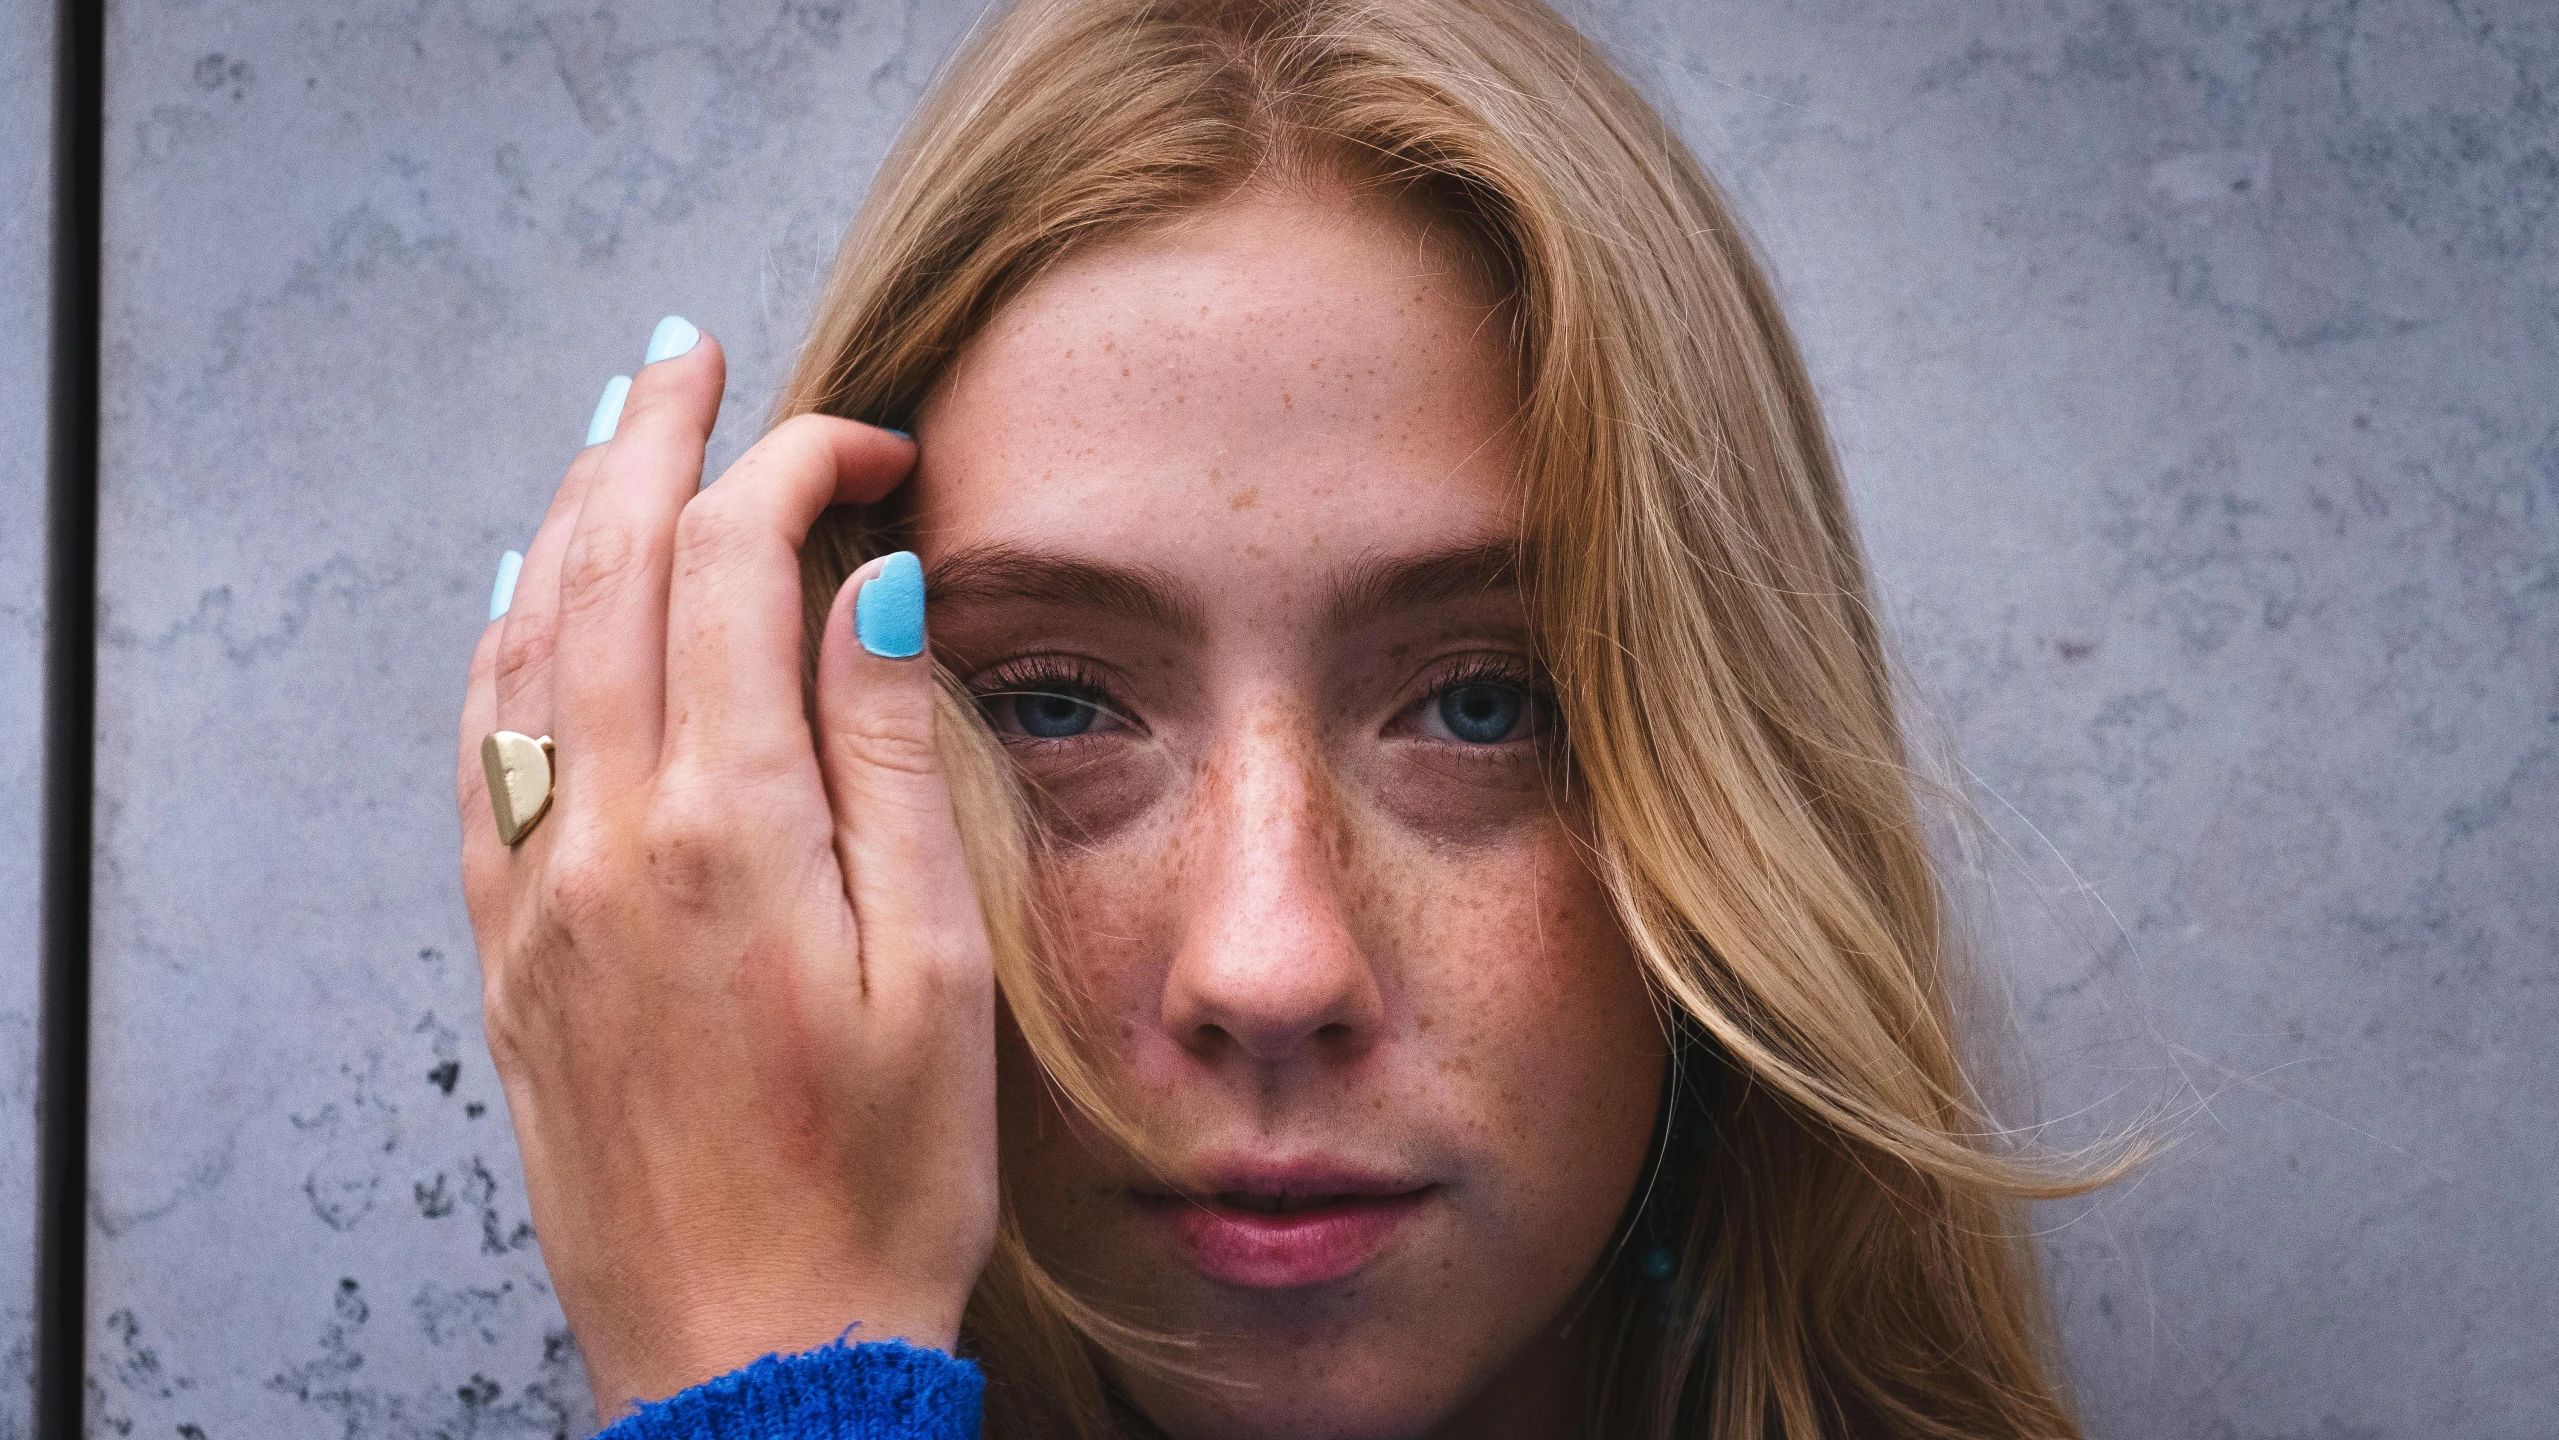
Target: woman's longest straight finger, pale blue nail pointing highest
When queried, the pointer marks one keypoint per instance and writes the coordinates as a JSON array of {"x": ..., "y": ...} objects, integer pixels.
[{"x": 610, "y": 671}]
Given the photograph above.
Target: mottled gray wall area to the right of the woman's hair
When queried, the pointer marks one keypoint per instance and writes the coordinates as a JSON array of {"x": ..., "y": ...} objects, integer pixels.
[{"x": 2194, "y": 370}]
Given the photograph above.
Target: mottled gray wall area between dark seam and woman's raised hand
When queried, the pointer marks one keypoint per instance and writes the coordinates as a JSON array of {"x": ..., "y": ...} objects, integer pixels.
[{"x": 367, "y": 272}]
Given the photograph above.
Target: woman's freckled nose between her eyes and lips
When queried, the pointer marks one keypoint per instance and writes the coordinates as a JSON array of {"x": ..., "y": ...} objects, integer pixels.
[{"x": 1271, "y": 966}]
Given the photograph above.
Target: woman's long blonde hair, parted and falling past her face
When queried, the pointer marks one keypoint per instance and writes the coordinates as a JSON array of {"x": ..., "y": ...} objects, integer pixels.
[{"x": 1849, "y": 1232}]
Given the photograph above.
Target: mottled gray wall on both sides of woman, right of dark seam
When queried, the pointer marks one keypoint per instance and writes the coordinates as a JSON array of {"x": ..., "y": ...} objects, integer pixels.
[{"x": 2192, "y": 370}]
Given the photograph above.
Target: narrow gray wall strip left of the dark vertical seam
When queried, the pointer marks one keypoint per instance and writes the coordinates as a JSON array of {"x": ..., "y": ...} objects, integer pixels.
[{"x": 27, "y": 229}]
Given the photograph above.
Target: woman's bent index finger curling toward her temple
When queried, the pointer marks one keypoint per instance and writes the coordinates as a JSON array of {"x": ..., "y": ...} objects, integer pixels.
[{"x": 733, "y": 671}]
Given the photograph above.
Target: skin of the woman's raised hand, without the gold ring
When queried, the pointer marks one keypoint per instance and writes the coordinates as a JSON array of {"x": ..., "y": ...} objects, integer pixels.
[{"x": 736, "y": 981}]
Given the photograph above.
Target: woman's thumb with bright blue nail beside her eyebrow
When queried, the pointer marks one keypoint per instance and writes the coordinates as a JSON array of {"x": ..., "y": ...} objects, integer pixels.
[{"x": 897, "y": 838}]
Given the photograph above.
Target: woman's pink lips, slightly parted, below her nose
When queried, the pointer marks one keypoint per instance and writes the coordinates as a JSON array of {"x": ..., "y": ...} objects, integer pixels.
[{"x": 1358, "y": 1216}]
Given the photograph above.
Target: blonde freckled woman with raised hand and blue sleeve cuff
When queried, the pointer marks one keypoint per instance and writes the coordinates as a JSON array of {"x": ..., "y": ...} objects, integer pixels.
[{"x": 1386, "y": 896}]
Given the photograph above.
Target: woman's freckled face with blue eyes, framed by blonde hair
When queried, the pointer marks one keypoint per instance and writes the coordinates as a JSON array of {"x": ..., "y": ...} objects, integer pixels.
[{"x": 1219, "y": 526}]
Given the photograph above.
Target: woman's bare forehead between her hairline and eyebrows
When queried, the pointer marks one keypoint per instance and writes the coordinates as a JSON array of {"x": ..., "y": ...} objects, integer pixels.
[{"x": 1273, "y": 387}]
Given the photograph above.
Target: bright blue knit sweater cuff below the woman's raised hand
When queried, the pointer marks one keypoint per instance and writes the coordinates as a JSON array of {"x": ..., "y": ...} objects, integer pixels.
[{"x": 884, "y": 1390}]
